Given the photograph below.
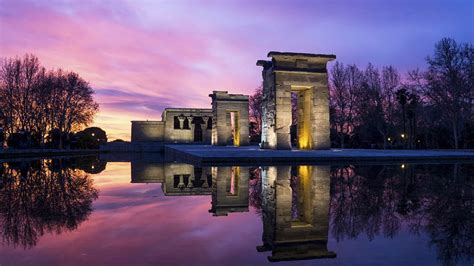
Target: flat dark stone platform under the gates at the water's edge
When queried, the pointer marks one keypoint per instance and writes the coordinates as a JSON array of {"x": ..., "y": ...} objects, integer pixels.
[{"x": 252, "y": 154}]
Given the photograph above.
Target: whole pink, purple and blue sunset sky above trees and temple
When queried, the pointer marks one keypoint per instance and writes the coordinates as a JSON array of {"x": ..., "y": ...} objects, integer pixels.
[{"x": 143, "y": 56}]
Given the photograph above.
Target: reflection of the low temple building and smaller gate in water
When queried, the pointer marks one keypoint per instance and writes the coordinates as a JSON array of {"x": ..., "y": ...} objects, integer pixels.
[{"x": 227, "y": 185}]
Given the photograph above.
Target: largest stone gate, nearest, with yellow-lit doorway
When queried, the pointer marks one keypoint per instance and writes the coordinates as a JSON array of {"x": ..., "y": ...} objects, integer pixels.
[{"x": 306, "y": 76}]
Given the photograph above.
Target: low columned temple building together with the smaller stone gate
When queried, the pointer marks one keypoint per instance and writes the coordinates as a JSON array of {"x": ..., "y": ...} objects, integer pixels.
[{"x": 227, "y": 123}]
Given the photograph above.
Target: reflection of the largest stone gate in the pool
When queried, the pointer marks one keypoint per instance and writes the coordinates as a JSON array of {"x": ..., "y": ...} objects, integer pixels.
[{"x": 295, "y": 212}]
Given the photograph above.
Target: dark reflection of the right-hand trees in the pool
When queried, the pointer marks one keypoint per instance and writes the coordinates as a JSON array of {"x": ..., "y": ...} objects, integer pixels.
[{"x": 432, "y": 199}]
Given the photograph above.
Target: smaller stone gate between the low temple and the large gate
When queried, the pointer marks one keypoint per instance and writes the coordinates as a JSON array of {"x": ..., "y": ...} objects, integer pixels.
[{"x": 230, "y": 122}]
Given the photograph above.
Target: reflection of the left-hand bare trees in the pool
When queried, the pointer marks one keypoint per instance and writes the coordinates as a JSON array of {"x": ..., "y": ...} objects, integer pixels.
[{"x": 44, "y": 196}]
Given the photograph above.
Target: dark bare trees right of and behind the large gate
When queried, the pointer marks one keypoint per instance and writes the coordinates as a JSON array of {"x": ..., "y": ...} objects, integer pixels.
[{"x": 380, "y": 108}]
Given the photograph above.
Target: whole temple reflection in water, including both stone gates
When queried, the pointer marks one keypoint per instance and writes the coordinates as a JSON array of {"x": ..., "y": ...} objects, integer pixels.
[{"x": 295, "y": 201}]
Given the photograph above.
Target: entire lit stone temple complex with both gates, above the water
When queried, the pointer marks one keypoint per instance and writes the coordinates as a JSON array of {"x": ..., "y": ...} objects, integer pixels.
[{"x": 300, "y": 76}]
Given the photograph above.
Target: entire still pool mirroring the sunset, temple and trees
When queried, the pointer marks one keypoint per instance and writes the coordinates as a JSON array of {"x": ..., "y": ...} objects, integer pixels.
[{"x": 94, "y": 211}]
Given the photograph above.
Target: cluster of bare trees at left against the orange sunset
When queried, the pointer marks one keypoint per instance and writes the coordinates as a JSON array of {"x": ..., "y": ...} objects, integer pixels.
[{"x": 39, "y": 107}]
